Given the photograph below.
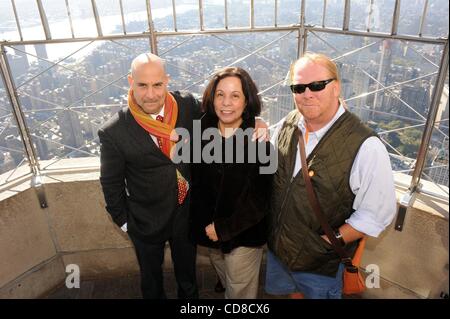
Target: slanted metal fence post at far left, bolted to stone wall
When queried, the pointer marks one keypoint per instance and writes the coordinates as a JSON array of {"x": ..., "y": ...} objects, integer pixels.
[{"x": 22, "y": 127}]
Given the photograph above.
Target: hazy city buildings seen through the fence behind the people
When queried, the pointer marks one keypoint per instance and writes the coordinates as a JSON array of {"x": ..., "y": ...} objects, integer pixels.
[{"x": 60, "y": 135}]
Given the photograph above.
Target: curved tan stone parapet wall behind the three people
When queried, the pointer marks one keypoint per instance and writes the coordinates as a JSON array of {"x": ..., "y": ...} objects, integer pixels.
[{"x": 37, "y": 244}]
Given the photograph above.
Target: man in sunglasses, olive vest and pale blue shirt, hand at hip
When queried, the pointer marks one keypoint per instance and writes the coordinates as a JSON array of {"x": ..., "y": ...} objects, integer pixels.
[{"x": 351, "y": 175}]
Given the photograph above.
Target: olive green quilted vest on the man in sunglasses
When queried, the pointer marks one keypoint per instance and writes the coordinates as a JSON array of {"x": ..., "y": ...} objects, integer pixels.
[{"x": 294, "y": 229}]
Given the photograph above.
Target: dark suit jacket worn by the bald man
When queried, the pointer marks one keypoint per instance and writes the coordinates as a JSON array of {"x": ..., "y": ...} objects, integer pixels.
[{"x": 139, "y": 182}]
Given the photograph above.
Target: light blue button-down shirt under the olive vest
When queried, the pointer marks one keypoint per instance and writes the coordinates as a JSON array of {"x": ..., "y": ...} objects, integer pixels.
[{"x": 371, "y": 179}]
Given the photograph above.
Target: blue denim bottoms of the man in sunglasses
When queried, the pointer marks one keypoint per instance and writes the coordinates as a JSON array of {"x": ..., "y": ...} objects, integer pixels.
[{"x": 281, "y": 281}]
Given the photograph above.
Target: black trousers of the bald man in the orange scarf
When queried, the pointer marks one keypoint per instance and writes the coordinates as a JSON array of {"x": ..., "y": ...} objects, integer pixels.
[{"x": 151, "y": 257}]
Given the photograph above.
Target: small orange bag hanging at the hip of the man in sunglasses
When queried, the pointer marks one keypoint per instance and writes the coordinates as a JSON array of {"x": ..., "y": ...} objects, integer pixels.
[{"x": 353, "y": 282}]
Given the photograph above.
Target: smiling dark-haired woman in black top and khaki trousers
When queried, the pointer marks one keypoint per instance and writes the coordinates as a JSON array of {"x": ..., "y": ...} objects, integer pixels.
[{"x": 230, "y": 197}]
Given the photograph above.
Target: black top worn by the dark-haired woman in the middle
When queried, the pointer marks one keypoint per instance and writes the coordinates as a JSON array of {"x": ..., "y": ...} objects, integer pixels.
[{"x": 231, "y": 192}]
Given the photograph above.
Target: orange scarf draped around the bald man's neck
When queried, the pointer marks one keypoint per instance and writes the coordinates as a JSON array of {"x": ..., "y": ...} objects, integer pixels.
[{"x": 154, "y": 127}]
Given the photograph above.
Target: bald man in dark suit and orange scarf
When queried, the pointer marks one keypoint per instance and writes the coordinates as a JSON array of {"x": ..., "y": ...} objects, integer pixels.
[{"x": 144, "y": 190}]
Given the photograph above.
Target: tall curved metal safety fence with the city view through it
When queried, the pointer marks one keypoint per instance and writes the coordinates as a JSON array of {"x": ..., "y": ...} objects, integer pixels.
[{"x": 65, "y": 63}]
